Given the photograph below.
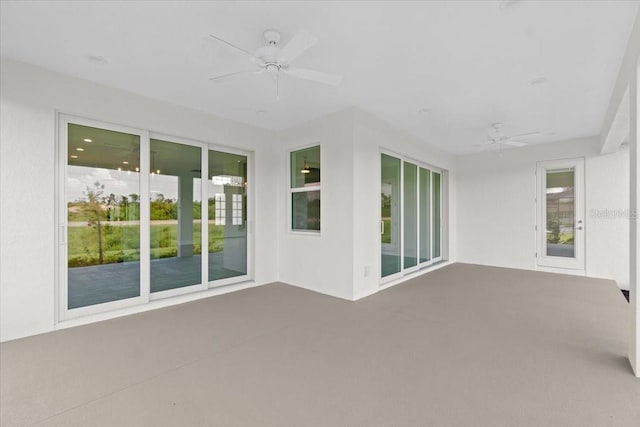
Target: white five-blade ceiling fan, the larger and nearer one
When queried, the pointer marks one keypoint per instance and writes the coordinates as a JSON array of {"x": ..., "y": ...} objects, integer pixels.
[{"x": 275, "y": 59}]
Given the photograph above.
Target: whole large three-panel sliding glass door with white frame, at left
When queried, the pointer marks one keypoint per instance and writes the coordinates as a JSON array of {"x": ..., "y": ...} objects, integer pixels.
[{"x": 133, "y": 226}]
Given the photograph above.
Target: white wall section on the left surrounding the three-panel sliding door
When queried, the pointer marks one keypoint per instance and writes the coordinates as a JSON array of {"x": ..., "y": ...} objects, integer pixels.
[{"x": 29, "y": 100}]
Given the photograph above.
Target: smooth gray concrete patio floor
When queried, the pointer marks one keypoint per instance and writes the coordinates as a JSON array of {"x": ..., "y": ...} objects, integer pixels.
[{"x": 461, "y": 346}]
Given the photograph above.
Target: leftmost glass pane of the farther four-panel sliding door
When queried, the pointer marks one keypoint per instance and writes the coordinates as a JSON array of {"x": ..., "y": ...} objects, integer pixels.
[{"x": 390, "y": 215}]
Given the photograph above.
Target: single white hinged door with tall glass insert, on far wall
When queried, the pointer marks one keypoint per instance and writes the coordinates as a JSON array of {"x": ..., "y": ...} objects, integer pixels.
[{"x": 560, "y": 212}]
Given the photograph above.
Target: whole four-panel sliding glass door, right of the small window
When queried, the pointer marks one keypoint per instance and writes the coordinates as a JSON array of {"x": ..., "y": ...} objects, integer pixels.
[{"x": 410, "y": 220}]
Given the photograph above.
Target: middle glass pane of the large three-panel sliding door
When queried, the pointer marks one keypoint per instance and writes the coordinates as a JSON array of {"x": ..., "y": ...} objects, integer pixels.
[{"x": 175, "y": 206}]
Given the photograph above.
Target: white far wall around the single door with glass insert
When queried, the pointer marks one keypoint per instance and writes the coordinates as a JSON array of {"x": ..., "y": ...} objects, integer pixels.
[{"x": 496, "y": 211}]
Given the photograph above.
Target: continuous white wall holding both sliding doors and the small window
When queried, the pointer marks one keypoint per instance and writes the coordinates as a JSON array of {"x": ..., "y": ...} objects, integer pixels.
[{"x": 332, "y": 263}]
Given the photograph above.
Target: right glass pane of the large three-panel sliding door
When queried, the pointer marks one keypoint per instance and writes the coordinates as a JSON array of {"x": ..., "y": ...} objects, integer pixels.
[{"x": 227, "y": 204}]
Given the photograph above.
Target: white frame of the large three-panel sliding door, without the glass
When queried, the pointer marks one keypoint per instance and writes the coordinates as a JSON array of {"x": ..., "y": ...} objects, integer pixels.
[{"x": 61, "y": 219}]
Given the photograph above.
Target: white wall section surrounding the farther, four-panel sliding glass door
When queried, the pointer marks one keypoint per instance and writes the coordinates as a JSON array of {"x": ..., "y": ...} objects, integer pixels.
[{"x": 370, "y": 136}]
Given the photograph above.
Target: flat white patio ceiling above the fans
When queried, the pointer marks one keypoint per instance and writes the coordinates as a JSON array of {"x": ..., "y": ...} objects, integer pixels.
[{"x": 468, "y": 63}]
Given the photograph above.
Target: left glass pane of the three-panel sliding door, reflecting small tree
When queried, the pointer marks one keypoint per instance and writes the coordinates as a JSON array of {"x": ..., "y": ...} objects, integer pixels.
[{"x": 103, "y": 216}]
